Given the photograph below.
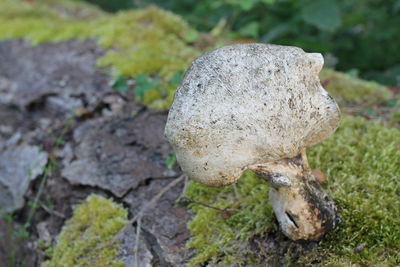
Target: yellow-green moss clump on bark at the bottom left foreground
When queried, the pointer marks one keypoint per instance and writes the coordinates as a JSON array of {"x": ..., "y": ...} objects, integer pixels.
[{"x": 95, "y": 222}]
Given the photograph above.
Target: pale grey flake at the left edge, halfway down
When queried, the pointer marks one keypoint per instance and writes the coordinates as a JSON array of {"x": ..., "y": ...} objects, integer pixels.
[{"x": 20, "y": 163}]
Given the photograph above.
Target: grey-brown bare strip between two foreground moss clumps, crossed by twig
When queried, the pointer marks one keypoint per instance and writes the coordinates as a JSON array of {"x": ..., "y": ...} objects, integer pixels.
[{"x": 164, "y": 225}]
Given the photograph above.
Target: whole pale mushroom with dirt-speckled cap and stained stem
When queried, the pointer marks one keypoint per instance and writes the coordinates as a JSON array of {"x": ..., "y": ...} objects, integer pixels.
[{"x": 258, "y": 107}]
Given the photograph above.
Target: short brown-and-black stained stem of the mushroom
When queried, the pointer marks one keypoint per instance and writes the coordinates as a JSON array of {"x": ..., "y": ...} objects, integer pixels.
[{"x": 304, "y": 211}]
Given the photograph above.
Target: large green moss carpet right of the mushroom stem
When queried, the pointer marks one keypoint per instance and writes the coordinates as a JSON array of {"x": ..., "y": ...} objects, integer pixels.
[{"x": 362, "y": 161}]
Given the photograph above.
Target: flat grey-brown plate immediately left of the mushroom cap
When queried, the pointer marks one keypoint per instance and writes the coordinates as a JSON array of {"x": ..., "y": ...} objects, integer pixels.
[{"x": 120, "y": 152}]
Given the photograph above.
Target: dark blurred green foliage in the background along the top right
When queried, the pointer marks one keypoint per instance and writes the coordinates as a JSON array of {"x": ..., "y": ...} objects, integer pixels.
[{"x": 358, "y": 34}]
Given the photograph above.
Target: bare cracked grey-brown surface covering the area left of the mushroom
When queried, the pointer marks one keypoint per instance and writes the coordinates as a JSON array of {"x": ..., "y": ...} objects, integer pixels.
[{"x": 116, "y": 149}]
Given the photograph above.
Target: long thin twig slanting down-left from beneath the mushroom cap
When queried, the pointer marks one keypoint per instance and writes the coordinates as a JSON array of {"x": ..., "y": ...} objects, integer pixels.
[{"x": 145, "y": 207}]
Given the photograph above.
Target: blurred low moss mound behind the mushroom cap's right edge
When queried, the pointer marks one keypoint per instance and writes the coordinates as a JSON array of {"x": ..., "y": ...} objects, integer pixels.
[{"x": 349, "y": 90}]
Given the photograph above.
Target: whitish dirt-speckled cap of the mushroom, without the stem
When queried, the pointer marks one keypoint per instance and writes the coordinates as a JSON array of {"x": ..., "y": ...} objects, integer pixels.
[{"x": 248, "y": 104}]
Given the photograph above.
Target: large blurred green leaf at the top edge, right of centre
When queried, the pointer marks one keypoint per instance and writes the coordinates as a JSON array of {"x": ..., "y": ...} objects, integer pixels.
[{"x": 324, "y": 14}]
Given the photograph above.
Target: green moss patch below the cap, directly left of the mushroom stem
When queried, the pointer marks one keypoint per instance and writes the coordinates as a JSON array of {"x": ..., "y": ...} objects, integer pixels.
[{"x": 215, "y": 235}]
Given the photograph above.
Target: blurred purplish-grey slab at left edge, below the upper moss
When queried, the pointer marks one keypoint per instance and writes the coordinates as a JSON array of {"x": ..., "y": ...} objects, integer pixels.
[{"x": 62, "y": 76}]
